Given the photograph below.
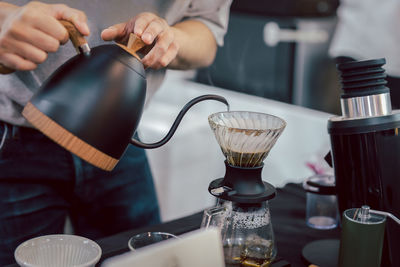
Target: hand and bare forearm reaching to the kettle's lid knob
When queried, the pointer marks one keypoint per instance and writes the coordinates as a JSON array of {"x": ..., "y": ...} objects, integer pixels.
[{"x": 188, "y": 44}]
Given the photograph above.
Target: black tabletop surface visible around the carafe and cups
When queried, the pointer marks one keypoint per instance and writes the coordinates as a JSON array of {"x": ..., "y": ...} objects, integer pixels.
[{"x": 288, "y": 220}]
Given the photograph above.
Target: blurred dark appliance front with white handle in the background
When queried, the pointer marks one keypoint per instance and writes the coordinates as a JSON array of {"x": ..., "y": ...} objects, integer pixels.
[{"x": 279, "y": 50}]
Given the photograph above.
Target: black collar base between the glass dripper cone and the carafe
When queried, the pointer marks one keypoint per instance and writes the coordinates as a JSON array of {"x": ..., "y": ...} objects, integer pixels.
[{"x": 242, "y": 185}]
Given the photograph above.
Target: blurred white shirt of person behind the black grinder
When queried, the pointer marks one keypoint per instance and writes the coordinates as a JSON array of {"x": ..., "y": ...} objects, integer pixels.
[{"x": 369, "y": 29}]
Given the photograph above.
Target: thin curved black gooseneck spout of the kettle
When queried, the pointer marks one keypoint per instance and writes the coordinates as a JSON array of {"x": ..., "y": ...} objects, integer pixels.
[{"x": 178, "y": 120}]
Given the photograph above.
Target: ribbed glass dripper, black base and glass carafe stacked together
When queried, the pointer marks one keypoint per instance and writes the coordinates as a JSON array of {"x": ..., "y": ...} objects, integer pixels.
[{"x": 242, "y": 213}]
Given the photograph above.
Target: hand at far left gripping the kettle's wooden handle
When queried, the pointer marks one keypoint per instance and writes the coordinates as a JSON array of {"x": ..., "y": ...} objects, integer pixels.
[{"x": 29, "y": 32}]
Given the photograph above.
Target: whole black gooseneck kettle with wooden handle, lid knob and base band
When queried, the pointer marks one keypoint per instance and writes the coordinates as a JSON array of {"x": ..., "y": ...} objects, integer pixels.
[{"x": 93, "y": 103}]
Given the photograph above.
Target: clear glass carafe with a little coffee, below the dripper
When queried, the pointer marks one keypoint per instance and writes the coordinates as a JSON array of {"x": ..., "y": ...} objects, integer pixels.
[{"x": 246, "y": 232}]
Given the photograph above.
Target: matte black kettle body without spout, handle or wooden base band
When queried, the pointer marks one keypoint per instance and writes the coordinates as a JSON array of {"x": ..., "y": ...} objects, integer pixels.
[{"x": 107, "y": 87}]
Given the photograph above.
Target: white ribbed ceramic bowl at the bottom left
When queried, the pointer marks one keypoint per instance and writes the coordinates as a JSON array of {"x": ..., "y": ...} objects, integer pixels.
[{"x": 58, "y": 250}]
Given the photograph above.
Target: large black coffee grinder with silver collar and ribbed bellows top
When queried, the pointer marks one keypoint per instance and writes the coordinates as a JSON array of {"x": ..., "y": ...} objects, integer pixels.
[{"x": 365, "y": 144}]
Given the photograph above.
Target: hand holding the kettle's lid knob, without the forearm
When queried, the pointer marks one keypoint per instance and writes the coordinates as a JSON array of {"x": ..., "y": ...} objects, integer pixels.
[{"x": 150, "y": 28}]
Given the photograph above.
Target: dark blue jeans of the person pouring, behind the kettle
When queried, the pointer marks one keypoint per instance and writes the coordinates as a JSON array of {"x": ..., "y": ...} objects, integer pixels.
[{"x": 41, "y": 183}]
